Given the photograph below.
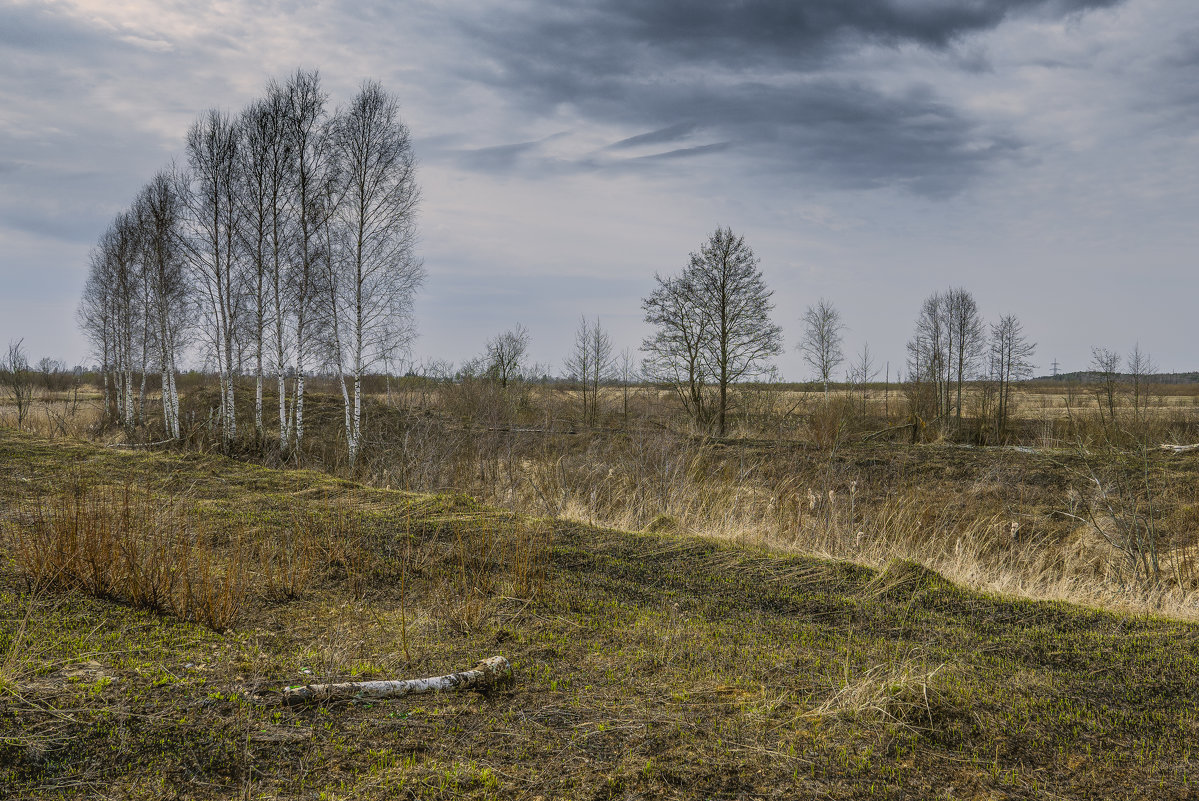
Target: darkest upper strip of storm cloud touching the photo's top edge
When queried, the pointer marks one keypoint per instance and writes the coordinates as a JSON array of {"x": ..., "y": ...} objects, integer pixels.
[{"x": 613, "y": 37}]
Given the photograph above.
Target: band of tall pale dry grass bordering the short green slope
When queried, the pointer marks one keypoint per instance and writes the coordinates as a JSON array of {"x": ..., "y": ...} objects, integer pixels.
[{"x": 648, "y": 477}]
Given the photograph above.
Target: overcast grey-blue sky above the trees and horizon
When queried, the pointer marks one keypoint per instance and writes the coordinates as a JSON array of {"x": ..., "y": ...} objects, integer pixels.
[{"x": 1043, "y": 154}]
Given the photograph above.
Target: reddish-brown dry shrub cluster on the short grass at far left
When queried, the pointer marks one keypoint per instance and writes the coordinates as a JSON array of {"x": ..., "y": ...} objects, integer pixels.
[{"x": 130, "y": 545}]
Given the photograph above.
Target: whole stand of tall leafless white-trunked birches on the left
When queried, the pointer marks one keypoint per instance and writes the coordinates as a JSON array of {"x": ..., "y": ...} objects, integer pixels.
[{"x": 285, "y": 246}]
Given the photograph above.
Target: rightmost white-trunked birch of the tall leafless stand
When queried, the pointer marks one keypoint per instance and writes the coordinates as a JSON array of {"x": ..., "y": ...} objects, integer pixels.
[{"x": 377, "y": 273}]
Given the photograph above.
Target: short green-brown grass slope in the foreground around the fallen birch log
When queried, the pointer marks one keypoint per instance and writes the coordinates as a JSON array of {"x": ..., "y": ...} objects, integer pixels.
[{"x": 646, "y": 665}]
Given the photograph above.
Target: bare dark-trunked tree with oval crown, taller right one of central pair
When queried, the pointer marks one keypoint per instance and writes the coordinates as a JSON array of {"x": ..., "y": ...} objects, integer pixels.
[{"x": 736, "y": 304}]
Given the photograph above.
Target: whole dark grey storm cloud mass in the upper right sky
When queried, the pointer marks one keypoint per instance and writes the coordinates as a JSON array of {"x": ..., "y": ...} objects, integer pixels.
[{"x": 758, "y": 77}]
